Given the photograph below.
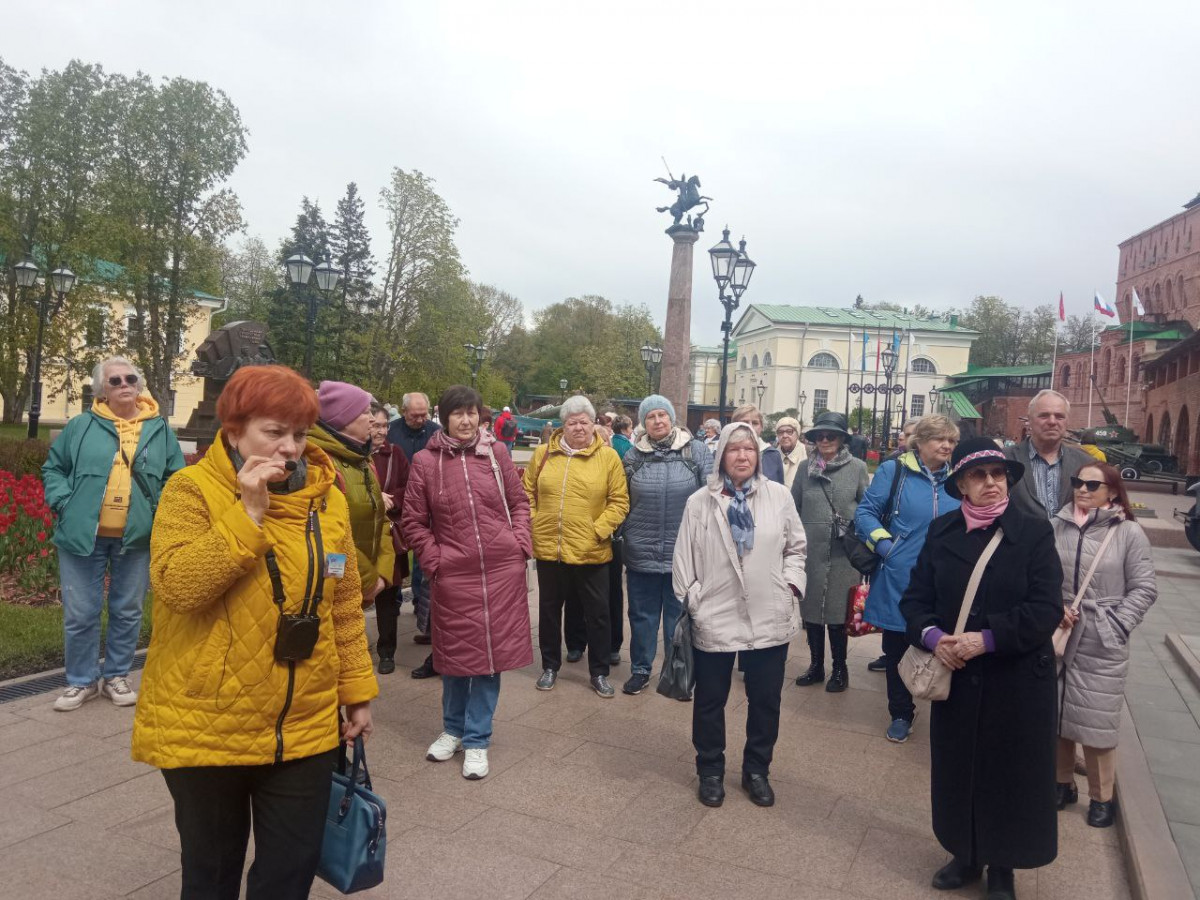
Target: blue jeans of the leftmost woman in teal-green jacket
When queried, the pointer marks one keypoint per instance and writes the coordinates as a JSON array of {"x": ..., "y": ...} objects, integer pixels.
[{"x": 83, "y": 596}]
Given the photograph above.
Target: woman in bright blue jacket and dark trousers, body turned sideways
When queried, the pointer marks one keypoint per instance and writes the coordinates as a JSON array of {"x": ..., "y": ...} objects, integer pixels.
[{"x": 905, "y": 496}]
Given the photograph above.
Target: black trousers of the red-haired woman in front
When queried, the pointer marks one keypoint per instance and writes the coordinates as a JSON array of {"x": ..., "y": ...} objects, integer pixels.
[{"x": 215, "y": 809}]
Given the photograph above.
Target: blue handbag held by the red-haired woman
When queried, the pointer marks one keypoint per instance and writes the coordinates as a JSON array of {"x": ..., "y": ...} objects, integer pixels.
[{"x": 352, "y": 856}]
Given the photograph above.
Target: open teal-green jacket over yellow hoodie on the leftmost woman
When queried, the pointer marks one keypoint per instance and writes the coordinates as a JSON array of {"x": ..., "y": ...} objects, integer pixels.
[{"x": 76, "y": 475}]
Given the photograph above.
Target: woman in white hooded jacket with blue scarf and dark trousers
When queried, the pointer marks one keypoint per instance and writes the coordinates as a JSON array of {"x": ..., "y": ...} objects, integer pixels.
[{"x": 739, "y": 571}]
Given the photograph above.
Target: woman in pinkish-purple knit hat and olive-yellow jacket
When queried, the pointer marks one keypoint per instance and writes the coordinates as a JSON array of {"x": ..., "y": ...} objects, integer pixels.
[{"x": 344, "y": 431}]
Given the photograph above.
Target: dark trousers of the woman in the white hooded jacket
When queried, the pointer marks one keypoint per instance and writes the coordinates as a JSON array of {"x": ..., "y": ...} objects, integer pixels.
[{"x": 765, "y": 688}]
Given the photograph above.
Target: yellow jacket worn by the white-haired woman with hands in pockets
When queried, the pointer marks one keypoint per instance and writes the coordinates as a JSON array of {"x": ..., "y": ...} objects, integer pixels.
[{"x": 577, "y": 502}]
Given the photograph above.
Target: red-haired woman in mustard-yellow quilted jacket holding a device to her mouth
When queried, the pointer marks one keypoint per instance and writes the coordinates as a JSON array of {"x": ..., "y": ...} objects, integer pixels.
[{"x": 259, "y": 640}]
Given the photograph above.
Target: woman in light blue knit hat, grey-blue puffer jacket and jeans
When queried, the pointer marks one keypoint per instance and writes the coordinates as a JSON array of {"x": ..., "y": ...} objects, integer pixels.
[{"x": 665, "y": 467}]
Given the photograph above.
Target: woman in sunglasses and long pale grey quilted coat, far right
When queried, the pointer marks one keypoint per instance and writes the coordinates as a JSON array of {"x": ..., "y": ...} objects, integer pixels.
[{"x": 1091, "y": 679}]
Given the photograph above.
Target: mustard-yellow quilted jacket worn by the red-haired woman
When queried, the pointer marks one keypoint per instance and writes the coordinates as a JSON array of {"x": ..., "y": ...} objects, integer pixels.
[{"x": 213, "y": 693}]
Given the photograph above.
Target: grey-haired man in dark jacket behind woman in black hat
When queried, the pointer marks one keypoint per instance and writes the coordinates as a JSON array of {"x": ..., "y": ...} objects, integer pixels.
[{"x": 1049, "y": 463}]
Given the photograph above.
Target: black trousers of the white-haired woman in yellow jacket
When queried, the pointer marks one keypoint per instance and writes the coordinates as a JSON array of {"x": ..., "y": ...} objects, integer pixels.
[{"x": 557, "y": 583}]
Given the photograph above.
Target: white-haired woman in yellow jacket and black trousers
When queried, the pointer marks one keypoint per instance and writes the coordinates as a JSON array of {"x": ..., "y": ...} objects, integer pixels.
[{"x": 578, "y": 499}]
